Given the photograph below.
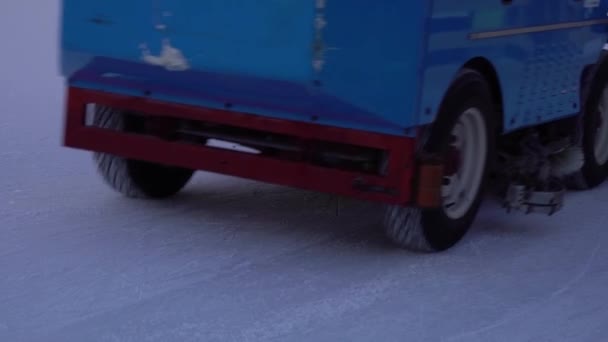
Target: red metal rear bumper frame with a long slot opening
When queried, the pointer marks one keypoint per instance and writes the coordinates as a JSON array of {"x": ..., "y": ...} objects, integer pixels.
[{"x": 395, "y": 186}]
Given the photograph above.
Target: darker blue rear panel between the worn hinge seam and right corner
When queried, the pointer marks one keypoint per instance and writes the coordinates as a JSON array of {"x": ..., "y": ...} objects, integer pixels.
[{"x": 373, "y": 53}]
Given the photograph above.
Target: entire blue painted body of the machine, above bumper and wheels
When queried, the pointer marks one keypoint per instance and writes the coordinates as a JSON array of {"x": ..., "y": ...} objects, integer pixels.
[{"x": 375, "y": 66}]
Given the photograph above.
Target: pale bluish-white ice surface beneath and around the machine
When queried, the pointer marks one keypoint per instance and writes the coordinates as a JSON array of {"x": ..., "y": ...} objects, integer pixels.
[{"x": 232, "y": 260}]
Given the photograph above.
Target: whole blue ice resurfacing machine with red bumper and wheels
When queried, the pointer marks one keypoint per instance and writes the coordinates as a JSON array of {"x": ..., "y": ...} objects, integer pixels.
[{"x": 415, "y": 104}]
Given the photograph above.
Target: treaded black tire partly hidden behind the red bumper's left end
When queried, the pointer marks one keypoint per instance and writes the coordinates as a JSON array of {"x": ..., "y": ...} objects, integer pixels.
[{"x": 134, "y": 178}]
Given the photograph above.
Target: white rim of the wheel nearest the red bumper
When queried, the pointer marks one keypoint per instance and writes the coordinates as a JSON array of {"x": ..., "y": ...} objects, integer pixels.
[{"x": 471, "y": 140}]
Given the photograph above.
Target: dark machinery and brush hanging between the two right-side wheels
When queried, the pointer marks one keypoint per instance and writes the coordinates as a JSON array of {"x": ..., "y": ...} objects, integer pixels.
[{"x": 533, "y": 167}]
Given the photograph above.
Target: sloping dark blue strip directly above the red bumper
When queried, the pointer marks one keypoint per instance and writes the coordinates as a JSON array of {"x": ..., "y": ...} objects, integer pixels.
[{"x": 279, "y": 99}]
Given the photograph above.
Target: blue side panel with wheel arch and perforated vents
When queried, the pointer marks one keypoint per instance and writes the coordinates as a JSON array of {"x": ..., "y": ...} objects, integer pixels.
[{"x": 539, "y": 72}]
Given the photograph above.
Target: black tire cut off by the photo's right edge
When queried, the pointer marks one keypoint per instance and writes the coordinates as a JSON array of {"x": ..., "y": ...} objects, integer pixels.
[{"x": 592, "y": 174}]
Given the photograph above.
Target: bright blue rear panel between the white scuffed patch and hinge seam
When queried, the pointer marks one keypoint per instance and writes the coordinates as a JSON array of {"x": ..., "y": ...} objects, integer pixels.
[{"x": 270, "y": 38}]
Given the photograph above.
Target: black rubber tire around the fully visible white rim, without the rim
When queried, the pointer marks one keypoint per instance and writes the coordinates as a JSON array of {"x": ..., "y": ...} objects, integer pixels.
[{"x": 431, "y": 230}]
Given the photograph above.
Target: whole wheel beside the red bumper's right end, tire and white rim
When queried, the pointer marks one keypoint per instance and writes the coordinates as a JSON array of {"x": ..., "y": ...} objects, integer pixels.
[{"x": 465, "y": 123}]
